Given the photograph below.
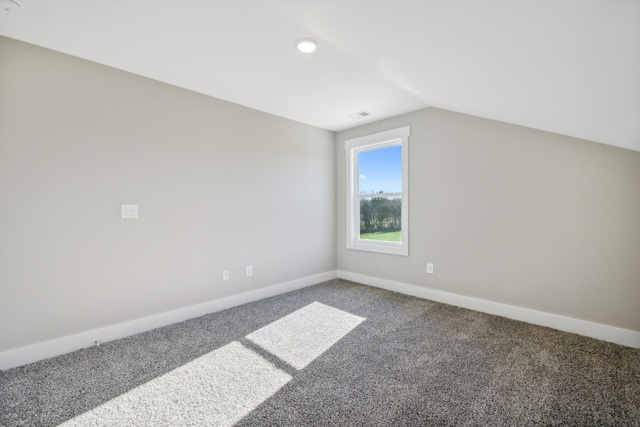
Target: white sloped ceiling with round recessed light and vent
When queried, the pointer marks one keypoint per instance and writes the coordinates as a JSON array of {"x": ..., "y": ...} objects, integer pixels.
[{"x": 565, "y": 66}]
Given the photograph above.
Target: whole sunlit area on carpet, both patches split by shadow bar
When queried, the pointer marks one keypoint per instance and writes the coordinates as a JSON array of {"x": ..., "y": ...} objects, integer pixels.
[{"x": 221, "y": 387}]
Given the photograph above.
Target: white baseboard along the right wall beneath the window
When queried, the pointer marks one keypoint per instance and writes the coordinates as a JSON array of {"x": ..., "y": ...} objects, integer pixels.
[{"x": 581, "y": 327}]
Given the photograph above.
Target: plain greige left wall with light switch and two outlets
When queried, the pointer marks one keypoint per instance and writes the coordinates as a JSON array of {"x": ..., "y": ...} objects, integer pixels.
[{"x": 219, "y": 186}]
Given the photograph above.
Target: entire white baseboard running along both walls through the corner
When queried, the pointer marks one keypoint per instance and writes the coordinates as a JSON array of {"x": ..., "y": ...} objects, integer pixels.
[{"x": 33, "y": 353}]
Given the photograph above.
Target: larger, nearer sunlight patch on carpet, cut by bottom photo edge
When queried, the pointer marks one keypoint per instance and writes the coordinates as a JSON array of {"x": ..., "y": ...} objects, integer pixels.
[{"x": 217, "y": 389}]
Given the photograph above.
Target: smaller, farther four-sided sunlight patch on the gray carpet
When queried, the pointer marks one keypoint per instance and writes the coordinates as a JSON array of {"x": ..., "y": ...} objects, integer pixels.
[{"x": 305, "y": 334}]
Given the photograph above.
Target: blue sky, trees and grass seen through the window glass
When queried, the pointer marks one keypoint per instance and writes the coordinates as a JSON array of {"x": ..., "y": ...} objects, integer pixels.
[{"x": 380, "y": 190}]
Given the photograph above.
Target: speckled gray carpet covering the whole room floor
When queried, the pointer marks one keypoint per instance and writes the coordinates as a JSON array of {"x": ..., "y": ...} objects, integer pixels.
[{"x": 409, "y": 362}]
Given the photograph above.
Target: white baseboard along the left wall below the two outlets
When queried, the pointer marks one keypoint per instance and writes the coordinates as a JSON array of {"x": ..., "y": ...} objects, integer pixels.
[{"x": 33, "y": 353}]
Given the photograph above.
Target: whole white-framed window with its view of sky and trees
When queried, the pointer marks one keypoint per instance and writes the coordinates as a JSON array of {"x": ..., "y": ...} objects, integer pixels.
[{"x": 377, "y": 192}]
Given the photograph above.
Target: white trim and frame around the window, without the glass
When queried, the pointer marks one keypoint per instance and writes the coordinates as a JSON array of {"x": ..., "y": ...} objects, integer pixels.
[{"x": 389, "y": 138}]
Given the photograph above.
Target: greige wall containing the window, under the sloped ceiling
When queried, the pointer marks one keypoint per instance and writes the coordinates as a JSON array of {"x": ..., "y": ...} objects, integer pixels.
[{"x": 515, "y": 216}]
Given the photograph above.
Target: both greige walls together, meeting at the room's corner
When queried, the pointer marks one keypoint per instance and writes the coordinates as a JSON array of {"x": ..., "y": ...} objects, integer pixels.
[{"x": 507, "y": 214}]
